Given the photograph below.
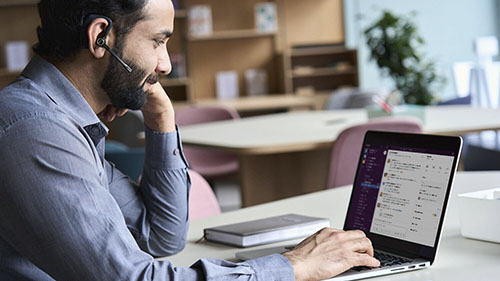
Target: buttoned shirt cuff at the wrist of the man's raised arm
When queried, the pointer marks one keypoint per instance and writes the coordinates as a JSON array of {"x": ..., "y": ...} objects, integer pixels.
[{"x": 164, "y": 150}]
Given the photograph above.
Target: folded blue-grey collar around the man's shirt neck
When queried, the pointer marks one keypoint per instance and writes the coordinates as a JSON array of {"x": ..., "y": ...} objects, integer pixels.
[{"x": 59, "y": 89}]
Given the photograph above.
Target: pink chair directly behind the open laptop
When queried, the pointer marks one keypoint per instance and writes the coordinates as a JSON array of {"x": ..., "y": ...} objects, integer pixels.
[{"x": 347, "y": 147}]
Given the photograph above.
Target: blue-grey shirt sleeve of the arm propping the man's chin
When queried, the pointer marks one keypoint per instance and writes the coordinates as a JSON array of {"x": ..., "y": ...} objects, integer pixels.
[{"x": 156, "y": 212}]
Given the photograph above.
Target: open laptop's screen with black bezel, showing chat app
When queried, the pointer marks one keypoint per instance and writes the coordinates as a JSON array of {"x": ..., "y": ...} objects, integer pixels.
[{"x": 401, "y": 187}]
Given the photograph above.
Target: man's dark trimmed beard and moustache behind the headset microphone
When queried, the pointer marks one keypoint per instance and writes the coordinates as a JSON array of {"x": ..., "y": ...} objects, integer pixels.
[{"x": 124, "y": 89}]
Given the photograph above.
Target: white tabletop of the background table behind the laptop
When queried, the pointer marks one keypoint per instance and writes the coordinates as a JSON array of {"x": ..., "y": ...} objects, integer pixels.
[{"x": 302, "y": 131}]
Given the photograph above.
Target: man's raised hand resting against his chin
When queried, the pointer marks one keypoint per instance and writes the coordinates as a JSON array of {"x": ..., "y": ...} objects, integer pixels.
[{"x": 158, "y": 111}]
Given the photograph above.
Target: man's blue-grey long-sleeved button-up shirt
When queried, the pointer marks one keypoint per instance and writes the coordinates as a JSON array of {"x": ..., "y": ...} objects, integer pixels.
[{"x": 68, "y": 214}]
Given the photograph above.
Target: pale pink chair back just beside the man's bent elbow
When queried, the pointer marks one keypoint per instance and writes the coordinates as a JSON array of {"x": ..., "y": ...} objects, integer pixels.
[{"x": 202, "y": 200}]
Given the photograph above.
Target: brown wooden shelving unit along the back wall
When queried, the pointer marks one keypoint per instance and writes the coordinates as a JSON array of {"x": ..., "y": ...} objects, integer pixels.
[{"x": 235, "y": 45}]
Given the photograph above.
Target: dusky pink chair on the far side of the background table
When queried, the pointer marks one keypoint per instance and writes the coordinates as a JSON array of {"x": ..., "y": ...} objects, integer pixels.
[{"x": 209, "y": 163}]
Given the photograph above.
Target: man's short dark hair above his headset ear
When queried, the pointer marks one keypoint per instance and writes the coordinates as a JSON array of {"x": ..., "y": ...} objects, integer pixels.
[{"x": 60, "y": 34}]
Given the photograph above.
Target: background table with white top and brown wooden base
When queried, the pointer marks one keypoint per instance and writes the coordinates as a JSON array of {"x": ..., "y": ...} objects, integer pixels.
[{"x": 287, "y": 154}]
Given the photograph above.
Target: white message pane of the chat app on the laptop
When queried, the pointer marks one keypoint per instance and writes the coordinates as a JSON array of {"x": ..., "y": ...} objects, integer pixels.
[{"x": 411, "y": 196}]
